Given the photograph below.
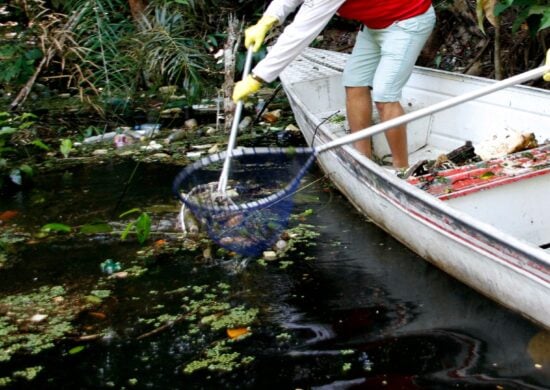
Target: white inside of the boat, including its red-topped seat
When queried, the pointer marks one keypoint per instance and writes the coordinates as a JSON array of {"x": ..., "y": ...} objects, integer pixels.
[{"x": 508, "y": 190}]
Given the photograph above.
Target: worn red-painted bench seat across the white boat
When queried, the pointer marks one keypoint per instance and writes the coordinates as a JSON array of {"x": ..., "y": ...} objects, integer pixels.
[{"x": 469, "y": 179}]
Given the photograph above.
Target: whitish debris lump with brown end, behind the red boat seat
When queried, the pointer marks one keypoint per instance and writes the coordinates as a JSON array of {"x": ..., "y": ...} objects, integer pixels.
[{"x": 507, "y": 142}]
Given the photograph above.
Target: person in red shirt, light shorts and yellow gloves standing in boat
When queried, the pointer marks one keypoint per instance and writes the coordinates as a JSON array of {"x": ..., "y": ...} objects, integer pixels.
[{"x": 387, "y": 46}]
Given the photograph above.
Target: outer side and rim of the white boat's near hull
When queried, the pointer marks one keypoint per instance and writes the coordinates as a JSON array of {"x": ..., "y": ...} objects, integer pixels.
[{"x": 498, "y": 265}]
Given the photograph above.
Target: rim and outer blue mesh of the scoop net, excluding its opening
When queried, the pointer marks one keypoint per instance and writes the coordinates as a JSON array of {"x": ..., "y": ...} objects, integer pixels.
[{"x": 278, "y": 205}]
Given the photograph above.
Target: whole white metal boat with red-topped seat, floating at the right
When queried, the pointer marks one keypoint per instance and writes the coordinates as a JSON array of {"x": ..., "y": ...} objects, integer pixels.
[{"x": 487, "y": 224}]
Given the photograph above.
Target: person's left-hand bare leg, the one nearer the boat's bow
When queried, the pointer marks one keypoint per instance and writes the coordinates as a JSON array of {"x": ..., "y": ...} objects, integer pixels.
[{"x": 359, "y": 112}]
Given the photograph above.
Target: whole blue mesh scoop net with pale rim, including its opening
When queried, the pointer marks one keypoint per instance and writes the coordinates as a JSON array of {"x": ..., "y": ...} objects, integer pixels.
[{"x": 249, "y": 216}]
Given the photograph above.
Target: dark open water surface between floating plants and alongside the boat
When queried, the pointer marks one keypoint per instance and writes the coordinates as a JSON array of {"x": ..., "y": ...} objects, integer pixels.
[{"x": 358, "y": 309}]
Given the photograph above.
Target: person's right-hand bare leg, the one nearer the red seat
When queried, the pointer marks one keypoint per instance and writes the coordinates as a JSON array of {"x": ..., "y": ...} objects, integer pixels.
[{"x": 397, "y": 136}]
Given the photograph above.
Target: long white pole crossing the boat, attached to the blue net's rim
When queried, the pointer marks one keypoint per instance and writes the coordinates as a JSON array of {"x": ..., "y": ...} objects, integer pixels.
[{"x": 411, "y": 116}]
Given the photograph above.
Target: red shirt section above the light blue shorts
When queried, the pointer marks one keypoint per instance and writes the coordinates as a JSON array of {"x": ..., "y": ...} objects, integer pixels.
[{"x": 378, "y": 14}]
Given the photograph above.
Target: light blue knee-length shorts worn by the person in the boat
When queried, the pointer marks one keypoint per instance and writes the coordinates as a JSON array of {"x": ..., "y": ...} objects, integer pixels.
[{"x": 383, "y": 59}]
